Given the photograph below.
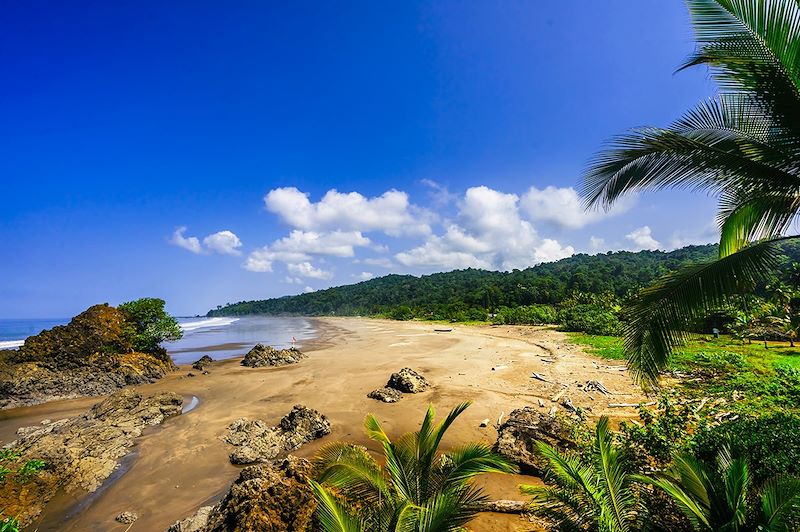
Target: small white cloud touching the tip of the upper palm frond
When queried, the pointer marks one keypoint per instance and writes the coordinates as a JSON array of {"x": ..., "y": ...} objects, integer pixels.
[{"x": 562, "y": 207}]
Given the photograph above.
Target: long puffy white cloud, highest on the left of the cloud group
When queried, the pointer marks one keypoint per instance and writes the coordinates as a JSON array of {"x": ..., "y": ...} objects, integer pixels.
[{"x": 390, "y": 212}]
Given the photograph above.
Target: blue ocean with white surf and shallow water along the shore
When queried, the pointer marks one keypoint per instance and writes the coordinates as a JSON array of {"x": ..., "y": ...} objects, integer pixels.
[{"x": 217, "y": 337}]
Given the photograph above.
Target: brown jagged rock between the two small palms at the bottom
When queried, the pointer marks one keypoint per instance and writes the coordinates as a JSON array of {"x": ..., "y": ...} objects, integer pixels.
[{"x": 517, "y": 436}]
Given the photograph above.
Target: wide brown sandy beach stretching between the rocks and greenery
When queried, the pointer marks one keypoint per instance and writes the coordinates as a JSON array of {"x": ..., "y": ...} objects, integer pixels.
[{"x": 183, "y": 464}]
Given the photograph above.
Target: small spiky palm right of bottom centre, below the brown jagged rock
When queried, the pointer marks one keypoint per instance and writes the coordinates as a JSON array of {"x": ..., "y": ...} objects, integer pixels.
[{"x": 594, "y": 494}]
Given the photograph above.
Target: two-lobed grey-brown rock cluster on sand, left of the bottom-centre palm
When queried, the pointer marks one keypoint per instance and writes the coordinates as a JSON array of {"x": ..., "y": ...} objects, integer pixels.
[{"x": 255, "y": 441}]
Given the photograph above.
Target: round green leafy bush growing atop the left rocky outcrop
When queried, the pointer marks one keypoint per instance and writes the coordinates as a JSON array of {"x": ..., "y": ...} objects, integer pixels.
[{"x": 149, "y": 324}]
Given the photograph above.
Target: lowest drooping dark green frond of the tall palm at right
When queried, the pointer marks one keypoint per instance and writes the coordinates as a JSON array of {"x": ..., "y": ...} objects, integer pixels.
[{"x": 657, "y": 319}]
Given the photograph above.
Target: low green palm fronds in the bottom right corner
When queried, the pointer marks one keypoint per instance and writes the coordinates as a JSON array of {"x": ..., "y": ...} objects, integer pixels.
[{"x": 716, "y": 496}]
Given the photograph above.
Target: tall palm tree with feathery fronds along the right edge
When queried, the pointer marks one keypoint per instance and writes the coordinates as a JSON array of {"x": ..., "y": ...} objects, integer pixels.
[{"x": 743, "y": 145}]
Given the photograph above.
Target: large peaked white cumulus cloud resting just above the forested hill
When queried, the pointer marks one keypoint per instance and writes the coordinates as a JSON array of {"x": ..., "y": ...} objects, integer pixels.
[{"x": 489, "y": 233}]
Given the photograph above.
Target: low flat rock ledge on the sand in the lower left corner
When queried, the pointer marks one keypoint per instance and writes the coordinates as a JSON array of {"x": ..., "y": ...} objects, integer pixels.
[{"x": 81, "y": 452}]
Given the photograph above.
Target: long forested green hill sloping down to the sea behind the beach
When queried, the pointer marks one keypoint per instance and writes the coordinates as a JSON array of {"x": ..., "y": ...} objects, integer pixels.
[{"x": 442, "y": 294}]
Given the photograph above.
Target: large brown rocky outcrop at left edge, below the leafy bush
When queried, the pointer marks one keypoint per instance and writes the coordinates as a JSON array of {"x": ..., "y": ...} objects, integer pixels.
[{"x": 92, "y": 355}]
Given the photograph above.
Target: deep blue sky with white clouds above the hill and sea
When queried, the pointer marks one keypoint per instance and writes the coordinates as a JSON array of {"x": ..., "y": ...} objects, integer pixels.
[{"x": 207, "y": 153}]
